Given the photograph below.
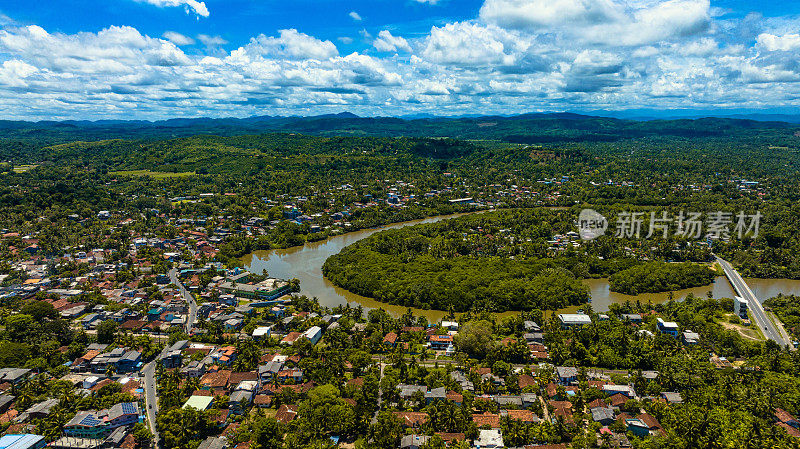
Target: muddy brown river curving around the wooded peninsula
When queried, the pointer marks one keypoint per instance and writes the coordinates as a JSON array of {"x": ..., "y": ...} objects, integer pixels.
[{"x": 305, "y": 263}]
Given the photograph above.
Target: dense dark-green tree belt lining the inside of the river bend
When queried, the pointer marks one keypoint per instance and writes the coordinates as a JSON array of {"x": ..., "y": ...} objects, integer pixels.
[{"x": 494, "y": 284}]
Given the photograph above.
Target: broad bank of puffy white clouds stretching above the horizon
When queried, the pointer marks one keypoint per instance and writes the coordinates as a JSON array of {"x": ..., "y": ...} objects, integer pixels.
[{"x": 636, "y": 53}]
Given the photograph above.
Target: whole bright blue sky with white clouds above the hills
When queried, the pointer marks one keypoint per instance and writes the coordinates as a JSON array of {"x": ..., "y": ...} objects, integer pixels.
[{"x": 153, "y": 59}]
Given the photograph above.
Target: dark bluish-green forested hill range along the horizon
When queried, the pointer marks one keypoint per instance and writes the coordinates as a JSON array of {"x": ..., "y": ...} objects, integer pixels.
[{"x": 529, "y": 128}]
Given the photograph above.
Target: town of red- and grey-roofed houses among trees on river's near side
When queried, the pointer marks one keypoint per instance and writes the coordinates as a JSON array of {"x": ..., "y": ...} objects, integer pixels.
[{"x": 167, "y": 336}]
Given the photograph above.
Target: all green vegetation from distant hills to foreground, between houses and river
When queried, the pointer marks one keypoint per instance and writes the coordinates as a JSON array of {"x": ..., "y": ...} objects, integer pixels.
[{"x": 484, "y": 262}]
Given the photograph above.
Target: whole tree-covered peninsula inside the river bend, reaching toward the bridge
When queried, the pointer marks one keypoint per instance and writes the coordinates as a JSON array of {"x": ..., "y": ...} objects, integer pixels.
[{"x": 504, "y": 261}]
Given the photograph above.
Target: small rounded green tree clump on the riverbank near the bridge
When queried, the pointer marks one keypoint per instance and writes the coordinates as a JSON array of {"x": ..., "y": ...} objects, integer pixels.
[{"x": 657, "y": 277}]
